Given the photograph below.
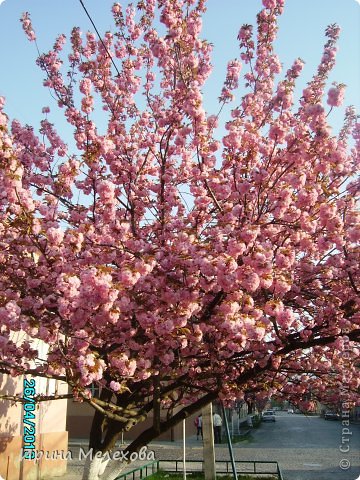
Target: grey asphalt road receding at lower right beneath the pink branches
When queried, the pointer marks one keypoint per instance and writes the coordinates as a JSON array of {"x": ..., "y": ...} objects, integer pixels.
[{"x": 307, "y": 448}]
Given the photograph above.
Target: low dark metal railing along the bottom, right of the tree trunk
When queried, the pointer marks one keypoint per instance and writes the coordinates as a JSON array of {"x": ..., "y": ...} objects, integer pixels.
[{"x": 243, "y": 467}]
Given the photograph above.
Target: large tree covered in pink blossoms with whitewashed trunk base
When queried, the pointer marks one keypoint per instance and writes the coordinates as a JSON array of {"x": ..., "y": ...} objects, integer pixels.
[{"x": 167, "y": 267}]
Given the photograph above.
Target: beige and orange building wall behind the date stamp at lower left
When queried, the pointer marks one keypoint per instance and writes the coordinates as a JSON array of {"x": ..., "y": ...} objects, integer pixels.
[{"x": 51, "y": 434}]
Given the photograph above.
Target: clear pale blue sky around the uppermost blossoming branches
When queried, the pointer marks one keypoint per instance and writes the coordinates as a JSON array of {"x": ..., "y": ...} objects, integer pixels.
[{"x": 301, "y": 34}]
